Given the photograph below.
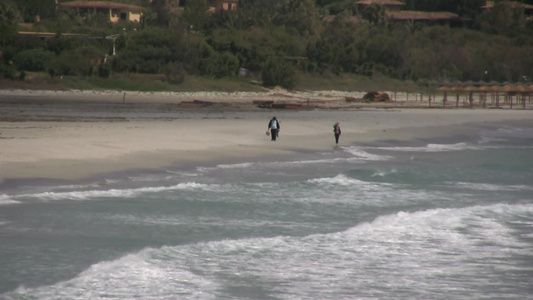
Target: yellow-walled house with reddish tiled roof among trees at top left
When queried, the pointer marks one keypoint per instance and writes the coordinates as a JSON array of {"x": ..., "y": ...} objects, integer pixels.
[{"x": 116, "y": 11}]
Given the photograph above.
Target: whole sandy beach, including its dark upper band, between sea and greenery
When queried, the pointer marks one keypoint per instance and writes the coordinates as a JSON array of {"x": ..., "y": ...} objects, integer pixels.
[{"x": 76, "y": 135}]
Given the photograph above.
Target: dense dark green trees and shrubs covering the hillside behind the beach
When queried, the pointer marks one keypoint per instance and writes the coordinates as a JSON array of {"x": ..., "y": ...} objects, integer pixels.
[{"x": 273, "y": 40}]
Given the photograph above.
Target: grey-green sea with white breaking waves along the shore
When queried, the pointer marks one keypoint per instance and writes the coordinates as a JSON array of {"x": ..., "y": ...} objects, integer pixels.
[{"x": 422, "y": 219}]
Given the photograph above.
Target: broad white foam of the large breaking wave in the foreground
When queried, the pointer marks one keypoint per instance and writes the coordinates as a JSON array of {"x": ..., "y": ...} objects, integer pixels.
[{"x": 434, "y": 248}]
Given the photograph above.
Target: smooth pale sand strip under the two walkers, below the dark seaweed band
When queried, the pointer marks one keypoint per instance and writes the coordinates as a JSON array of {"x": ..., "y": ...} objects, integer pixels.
[{"x": 74, "y": 150}]
